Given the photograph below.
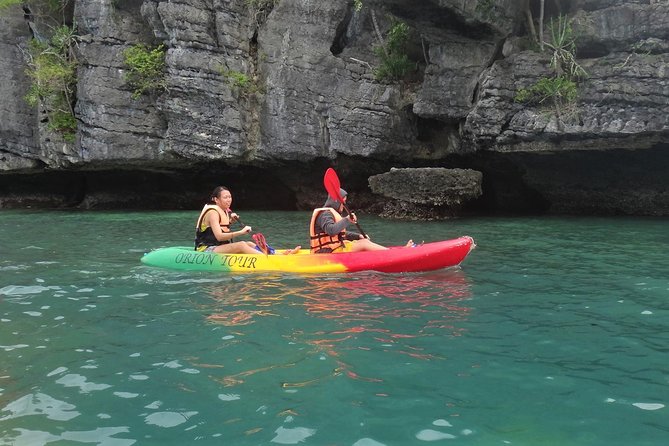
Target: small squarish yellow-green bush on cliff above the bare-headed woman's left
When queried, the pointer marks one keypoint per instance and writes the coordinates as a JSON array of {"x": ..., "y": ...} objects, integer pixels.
[{"x": 146, "y": 69}]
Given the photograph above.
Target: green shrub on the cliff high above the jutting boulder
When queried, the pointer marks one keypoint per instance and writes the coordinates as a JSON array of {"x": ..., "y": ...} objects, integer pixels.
[{"x": 395, "y": 63}]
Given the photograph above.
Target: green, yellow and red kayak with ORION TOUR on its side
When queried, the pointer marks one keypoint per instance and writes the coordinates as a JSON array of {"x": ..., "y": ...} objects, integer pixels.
[{"x": 397, "y": 259}]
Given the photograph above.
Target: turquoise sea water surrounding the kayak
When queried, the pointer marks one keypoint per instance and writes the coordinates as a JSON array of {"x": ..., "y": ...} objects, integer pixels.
[{"x": 555, "y": 331}]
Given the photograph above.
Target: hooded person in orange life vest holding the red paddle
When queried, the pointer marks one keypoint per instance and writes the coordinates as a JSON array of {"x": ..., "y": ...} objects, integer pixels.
[{"x": 327, "y": 230}]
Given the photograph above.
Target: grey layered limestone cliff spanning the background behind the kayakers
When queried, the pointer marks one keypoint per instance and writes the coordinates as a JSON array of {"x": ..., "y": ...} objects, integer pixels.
[{"x": 287, "y": 87}]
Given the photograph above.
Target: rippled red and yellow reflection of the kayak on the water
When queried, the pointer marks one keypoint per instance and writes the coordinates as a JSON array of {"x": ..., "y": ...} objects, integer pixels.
[{"x": 347, "y": 317}]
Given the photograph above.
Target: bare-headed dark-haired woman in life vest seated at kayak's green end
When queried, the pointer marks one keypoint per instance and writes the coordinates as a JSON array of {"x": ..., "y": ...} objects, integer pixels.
[{"x": 213, "y": 232}]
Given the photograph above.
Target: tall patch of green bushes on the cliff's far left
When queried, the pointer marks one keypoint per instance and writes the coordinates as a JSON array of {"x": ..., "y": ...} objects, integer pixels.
[{"x": 52, "y": 67}]
